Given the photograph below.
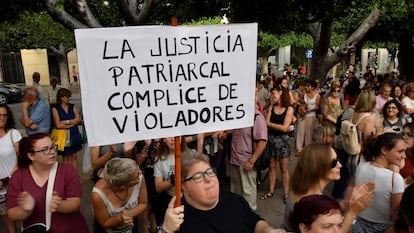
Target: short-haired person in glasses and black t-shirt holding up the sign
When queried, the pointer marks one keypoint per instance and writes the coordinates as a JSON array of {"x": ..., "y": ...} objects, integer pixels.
[{"x": 205, "y": 208}]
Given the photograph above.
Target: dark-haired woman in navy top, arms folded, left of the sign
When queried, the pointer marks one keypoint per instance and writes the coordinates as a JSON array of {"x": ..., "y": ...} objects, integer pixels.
[{"x": 66, "y": 116}]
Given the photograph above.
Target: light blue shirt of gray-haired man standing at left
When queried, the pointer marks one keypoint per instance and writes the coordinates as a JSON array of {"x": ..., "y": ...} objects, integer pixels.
[{"x": 39, "y": 114}]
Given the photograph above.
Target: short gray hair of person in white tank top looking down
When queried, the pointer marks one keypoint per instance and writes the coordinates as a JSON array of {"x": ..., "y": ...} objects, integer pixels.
[{"x": 117, "y": 171}]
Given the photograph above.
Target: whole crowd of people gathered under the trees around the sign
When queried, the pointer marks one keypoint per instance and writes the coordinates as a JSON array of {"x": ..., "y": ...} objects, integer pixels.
[{"x": 134, "y": 181}]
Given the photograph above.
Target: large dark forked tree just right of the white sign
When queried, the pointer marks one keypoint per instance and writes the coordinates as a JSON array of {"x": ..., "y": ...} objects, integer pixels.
[{"x": 317, "y": 18}]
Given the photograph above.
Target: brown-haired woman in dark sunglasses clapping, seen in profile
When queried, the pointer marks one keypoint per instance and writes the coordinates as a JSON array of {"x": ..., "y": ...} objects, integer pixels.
[{"x": 317, "y": 166}]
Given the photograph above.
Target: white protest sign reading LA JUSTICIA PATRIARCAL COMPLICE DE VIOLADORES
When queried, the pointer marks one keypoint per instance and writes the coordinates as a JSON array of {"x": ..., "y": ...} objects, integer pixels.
[{"x": 162, "y": 81}]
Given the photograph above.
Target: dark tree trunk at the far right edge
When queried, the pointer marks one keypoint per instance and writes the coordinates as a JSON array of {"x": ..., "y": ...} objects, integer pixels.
[{"x": 406, "y": 58}]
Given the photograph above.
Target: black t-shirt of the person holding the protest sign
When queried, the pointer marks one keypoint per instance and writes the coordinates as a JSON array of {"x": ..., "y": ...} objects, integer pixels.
[{"x": 232, "y": 214}]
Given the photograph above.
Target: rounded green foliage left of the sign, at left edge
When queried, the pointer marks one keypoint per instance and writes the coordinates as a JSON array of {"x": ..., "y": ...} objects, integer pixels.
[{"x": 33, "y": 30}]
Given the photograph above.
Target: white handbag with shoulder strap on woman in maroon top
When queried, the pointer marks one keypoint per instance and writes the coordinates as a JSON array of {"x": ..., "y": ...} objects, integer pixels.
[{"x": 40, "y": 227}]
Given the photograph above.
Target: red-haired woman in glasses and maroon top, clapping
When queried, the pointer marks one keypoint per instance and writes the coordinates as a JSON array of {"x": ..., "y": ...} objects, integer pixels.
[{"x": 26, "y": 193}]
